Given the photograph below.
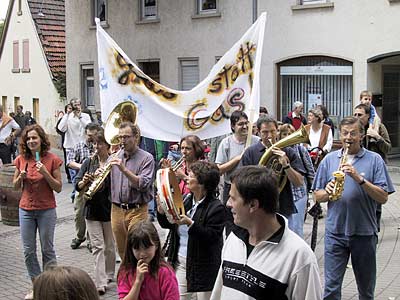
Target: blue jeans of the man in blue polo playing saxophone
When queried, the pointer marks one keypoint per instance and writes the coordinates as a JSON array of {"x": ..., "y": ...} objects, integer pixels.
[{"x": 362, "y": 249}]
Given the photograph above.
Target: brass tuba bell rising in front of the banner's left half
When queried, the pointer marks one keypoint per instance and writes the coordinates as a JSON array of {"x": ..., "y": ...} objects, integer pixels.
[{"x": 124, "y": 112}]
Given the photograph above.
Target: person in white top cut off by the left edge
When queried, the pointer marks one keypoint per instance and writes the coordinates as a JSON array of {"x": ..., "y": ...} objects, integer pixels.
[{"x": 9, "y": 130}]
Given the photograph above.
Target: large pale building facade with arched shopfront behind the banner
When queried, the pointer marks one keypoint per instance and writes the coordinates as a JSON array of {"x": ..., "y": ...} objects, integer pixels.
[{"x": 315, "y": 51}]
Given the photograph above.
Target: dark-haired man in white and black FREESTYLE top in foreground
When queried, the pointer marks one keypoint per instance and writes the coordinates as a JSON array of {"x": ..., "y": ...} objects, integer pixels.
[{"x": 266, "y": 260}]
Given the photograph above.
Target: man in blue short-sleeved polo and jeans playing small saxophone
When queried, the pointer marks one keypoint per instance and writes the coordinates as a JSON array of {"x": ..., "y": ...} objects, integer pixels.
[{"x": 351, "y": 225}]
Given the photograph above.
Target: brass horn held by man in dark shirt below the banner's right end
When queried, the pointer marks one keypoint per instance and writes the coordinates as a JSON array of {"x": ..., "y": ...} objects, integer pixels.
[{"x": 270, "y": 160}]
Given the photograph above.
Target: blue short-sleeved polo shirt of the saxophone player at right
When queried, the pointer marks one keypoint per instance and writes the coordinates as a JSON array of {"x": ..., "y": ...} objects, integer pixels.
[{"x": 355, "y": 212}]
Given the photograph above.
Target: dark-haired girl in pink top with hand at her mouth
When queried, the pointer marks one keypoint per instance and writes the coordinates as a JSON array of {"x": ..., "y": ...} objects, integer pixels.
[{"x": 143, "y": 273}]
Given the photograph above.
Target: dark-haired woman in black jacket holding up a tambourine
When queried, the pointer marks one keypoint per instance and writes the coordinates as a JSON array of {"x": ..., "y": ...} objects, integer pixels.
[{"x": 194, "y": 243}]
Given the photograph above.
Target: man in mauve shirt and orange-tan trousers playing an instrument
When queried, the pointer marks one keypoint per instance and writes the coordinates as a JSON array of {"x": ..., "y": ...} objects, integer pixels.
[{"x": 132, "y": 177}]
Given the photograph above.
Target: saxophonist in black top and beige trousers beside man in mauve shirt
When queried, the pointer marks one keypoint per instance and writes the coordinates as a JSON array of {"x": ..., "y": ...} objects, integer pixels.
[{"x": 98, "y": 213}]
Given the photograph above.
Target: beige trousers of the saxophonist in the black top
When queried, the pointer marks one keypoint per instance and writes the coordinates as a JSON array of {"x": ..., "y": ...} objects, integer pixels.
[{"x": 103, "y": 248}]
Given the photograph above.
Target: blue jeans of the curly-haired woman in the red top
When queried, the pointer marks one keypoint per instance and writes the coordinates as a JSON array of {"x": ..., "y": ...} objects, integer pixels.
[{"x": 30, "y": 222}]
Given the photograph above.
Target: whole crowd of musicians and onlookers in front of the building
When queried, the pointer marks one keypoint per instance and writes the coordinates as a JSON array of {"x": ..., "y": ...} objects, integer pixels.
[{"x": 241, "y": 233}]
